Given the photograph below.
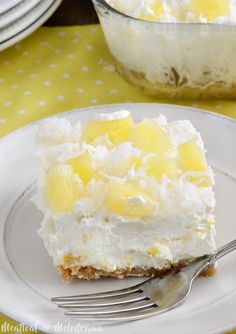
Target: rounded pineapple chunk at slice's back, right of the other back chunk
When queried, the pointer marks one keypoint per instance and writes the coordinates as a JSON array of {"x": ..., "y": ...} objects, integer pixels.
[{"x": 150, "y": 137}]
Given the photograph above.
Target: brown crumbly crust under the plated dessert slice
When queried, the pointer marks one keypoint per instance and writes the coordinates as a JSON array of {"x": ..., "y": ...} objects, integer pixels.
[{"x": 91, "y": 273}]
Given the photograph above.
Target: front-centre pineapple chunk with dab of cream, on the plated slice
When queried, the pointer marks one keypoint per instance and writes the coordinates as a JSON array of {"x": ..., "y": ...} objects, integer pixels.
[{"x": 129, "y": 200}]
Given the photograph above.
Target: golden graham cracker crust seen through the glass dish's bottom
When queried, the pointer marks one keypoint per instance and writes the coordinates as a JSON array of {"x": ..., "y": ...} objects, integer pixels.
[{"x": 175, "y": 88}]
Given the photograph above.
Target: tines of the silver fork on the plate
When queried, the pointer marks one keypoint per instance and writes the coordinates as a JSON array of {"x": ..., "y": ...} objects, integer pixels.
[{"x": 112, "y": 305}]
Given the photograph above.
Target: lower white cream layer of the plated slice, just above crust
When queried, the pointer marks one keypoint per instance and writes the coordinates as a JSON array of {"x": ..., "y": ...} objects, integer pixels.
[{"x": 114, "y": 244}]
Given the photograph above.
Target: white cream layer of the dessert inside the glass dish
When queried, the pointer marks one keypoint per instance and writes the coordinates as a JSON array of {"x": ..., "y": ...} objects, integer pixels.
[{"x": 174, "y": 55}]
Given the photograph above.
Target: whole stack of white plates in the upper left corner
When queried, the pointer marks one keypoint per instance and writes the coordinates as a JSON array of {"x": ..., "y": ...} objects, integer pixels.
[{"x": 19, "y": 18}]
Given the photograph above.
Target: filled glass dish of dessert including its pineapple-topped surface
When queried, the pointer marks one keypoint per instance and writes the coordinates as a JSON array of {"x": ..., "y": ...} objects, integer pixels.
[{"x": 170, "y": 48}]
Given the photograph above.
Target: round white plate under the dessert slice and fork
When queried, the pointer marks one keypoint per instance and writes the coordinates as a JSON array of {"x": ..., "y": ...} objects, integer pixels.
[{"x": 28, "y": 278}]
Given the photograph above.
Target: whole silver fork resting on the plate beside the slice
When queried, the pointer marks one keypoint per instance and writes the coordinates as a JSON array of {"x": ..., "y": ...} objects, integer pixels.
[{"x": 151, "y": 297}]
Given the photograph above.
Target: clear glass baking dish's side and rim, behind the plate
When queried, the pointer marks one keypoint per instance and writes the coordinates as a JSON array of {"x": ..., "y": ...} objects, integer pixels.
[{"x": 173, "y": 60}]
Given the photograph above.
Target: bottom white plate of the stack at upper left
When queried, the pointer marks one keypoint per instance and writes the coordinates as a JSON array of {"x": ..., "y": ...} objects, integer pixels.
[{"x": 29, "y": 22}]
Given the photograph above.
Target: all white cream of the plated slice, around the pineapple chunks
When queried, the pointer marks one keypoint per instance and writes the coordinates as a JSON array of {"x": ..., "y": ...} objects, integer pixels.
[{"x": 182, "y": 228}]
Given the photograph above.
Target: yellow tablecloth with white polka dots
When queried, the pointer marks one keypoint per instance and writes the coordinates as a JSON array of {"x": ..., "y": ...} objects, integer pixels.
[{"x": 58, "y": 69}]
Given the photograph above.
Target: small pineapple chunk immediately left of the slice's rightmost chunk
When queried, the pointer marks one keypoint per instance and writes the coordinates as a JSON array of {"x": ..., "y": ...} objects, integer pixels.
[{"x": 160, "y": 166}]
